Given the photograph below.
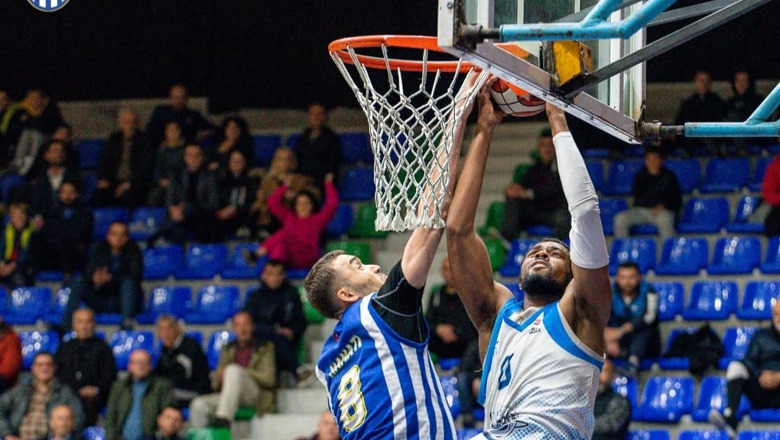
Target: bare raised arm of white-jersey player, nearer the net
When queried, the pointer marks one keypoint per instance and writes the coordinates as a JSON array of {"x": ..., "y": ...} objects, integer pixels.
[{"x": 472, "y": 274}]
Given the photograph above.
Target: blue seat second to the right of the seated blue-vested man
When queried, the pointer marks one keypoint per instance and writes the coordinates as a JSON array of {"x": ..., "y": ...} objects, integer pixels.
[{"x": 711, "y": 301}]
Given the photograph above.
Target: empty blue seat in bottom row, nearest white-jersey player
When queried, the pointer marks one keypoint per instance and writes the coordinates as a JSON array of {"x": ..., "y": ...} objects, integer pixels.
[{"x": 665, "y": 399}]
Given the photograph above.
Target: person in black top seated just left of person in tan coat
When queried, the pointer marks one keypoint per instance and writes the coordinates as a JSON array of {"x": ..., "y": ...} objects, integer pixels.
[{"x": 236, "y": 194}]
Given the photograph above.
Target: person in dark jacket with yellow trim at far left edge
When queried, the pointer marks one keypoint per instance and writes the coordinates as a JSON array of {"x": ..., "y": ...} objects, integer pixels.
[{"x": 16, "y": 269}]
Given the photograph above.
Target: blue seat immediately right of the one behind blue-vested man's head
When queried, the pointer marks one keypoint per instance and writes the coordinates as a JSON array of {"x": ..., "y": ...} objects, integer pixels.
[{"x": 683, "y": 256}]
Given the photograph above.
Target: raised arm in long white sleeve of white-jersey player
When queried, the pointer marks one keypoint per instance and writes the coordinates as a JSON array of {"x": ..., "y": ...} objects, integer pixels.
[{"x": 588, "y": 299}]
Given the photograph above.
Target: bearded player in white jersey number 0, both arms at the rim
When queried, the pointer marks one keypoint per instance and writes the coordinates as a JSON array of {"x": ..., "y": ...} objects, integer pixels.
[{"x": 542, "y": 356}]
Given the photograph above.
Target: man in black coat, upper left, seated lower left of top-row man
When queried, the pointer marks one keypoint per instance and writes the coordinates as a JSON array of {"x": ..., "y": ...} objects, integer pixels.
[{"x": 123, "y": 166}]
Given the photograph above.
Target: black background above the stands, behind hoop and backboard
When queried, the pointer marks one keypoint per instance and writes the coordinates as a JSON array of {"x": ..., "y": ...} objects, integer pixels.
[{"x": 261, "y": 53}]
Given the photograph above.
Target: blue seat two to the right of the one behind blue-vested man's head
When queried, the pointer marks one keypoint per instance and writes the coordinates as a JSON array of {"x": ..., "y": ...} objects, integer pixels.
[{"x": 735, "y": 256}]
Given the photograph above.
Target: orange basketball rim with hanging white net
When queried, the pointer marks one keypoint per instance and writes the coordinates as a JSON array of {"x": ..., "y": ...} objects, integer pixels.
[{"x": 412, "y": 120}]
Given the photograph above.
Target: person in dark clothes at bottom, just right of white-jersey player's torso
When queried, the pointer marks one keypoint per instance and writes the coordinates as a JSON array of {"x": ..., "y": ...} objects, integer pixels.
[{"x": 612, "y": 410}]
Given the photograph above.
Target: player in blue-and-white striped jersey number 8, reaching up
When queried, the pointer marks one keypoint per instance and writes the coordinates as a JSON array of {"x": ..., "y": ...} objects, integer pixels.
[{"x": 376, "y": 366}]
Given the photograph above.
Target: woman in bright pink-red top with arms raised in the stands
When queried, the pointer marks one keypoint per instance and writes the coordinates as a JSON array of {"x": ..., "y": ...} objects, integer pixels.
[{"x": 298, "y": 243}]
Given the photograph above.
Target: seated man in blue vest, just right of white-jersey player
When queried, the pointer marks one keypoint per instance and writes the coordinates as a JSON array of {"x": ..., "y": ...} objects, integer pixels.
[{"x": 632, "y": 329}]
